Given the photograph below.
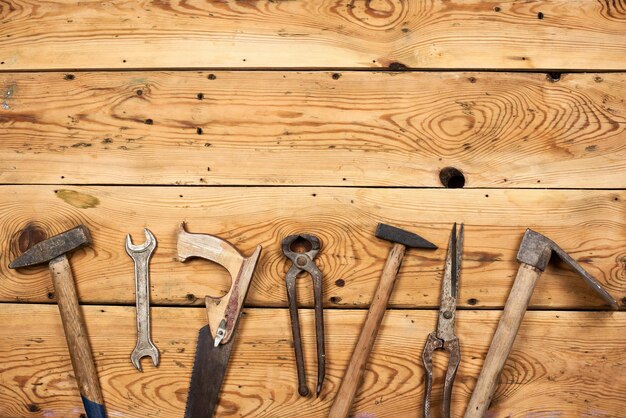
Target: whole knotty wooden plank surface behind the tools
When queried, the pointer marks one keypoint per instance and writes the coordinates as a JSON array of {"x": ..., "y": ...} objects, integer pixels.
[{"x": 253, "y": 120}]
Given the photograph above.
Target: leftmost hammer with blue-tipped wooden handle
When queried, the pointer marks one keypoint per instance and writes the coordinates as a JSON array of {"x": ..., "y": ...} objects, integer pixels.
[{"x": 53, "y": 251}]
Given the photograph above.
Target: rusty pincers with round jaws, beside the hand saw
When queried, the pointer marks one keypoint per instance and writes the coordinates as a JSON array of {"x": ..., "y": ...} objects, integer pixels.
[{"x": 305, "y": 262}]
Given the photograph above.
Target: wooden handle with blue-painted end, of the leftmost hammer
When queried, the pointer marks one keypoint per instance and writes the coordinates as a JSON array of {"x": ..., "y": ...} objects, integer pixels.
[{"x": 76, "y": 336}]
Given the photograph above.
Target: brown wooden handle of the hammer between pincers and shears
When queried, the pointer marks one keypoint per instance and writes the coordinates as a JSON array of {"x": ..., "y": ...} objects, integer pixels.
[{"x": 358, "y": 361}]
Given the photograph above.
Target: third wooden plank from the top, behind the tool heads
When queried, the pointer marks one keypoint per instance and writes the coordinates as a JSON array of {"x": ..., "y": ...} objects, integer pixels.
[{"x": 590, "y": 225}]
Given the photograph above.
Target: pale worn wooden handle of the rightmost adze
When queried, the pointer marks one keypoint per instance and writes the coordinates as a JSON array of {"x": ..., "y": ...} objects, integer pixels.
[{"x": 503, "y": 340}]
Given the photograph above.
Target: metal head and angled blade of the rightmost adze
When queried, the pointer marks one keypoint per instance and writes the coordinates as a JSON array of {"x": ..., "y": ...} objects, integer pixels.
[{"x": 536, "y": 250}]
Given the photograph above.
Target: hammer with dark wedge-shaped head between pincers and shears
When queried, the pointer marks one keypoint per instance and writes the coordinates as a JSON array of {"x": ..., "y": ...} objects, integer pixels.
[{"x": 358, "y": 361}]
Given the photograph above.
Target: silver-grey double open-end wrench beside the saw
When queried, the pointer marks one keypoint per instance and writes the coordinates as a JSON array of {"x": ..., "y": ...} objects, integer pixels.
[{"x": 141, "y": 256}]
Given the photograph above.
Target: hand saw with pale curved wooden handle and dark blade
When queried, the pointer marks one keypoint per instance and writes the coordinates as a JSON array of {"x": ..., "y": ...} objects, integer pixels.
[{"x": 215, "y": 340}]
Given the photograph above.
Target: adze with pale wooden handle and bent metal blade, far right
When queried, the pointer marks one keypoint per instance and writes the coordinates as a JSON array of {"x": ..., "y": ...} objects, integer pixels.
[{"x": 534, "y": 254}]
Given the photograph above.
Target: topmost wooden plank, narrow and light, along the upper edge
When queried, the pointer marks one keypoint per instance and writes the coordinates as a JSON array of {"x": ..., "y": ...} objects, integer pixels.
[{"x": 567, "y": 34}]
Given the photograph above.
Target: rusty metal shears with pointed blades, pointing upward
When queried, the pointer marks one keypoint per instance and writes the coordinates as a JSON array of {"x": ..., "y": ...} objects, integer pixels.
[{"x": 443, "y": 338}]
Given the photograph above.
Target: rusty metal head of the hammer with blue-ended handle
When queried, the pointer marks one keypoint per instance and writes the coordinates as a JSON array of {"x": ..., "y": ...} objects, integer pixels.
[{"x": 53, "y": 247}]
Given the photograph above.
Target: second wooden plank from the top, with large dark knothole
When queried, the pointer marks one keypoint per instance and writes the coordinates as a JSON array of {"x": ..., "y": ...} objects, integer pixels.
[{"x": 351, "y": 128}]
